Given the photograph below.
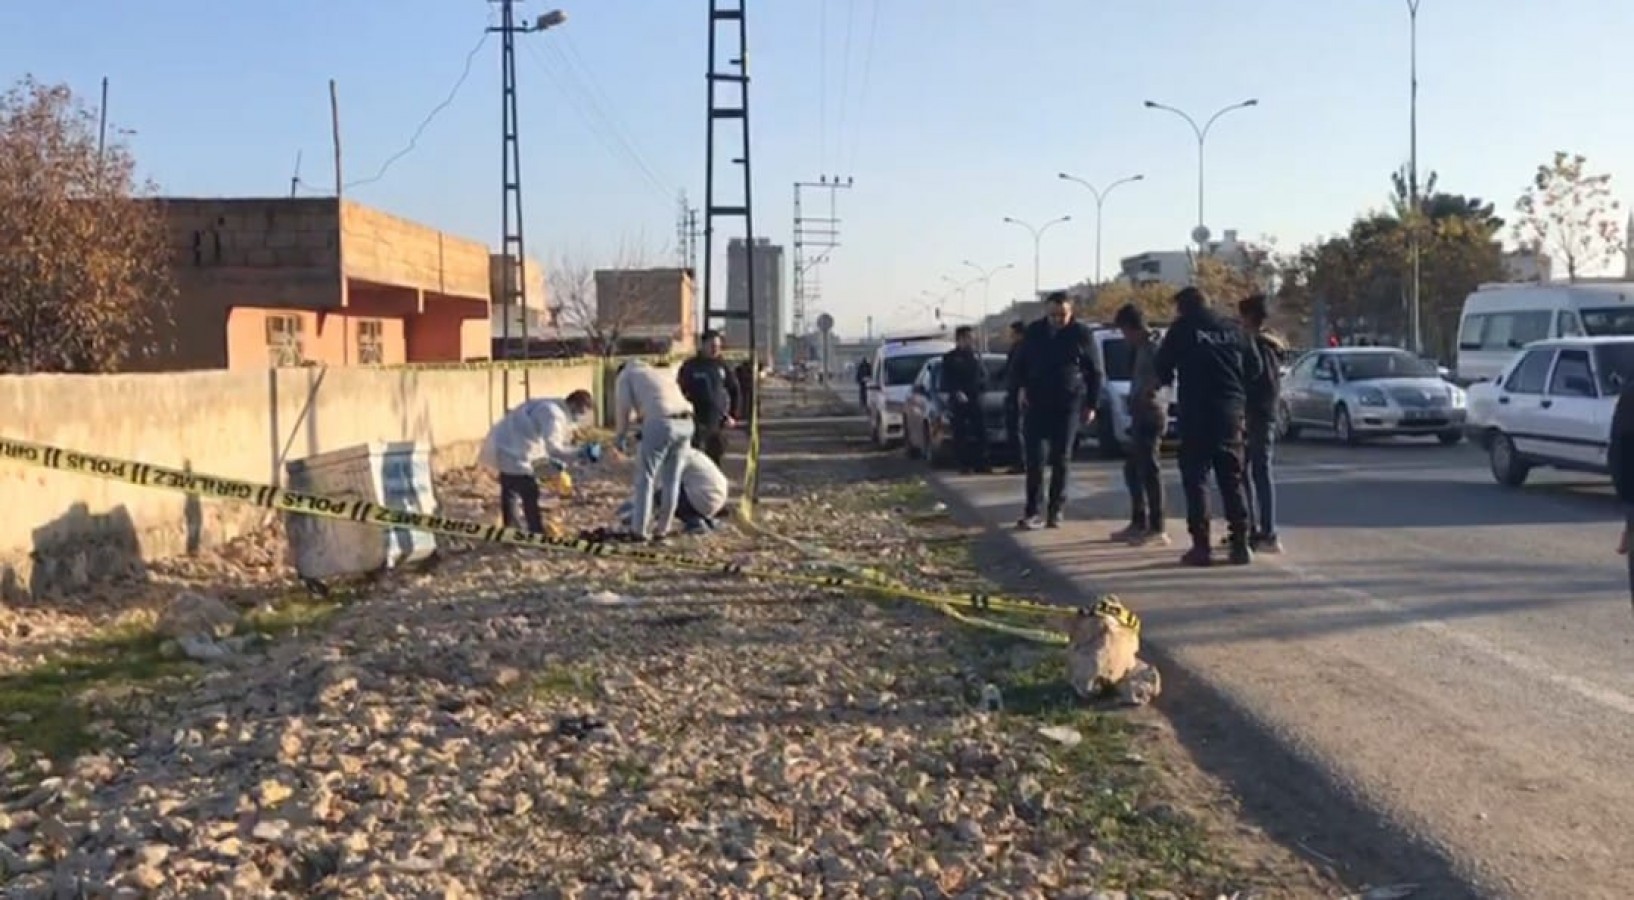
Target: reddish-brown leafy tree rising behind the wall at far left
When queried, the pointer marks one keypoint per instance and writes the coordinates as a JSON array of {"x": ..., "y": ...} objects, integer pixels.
[{"x": 84, "y": 251}]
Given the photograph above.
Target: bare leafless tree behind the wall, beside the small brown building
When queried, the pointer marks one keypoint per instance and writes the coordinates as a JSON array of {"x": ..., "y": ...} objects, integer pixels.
[{"x": 609, "y": 306}]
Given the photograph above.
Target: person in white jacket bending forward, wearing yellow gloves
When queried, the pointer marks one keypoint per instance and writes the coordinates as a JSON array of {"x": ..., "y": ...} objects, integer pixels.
[{"x": 537, "y": 434}]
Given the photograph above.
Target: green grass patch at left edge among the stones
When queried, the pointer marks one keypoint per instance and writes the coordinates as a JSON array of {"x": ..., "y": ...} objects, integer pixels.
[{"x": 51, "y": 711}]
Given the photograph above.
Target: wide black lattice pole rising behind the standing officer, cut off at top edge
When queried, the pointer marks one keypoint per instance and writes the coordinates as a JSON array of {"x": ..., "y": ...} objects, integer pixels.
[{"x": 723, "y": 110}]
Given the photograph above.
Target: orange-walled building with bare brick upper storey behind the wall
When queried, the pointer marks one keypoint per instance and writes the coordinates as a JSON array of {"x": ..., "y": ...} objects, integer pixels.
[{"x": 293, "y": 282}]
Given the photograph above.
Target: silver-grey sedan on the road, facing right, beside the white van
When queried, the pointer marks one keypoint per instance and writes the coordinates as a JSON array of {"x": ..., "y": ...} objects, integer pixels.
[{"x": 1370, "y": 393}]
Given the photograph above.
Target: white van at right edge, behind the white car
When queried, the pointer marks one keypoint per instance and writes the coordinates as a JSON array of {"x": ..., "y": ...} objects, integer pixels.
[{"x": 1501, "y": 319}]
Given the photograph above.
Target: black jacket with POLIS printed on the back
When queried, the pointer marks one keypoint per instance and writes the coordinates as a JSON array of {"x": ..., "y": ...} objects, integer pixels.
[{"x": 1217, "y": 363}]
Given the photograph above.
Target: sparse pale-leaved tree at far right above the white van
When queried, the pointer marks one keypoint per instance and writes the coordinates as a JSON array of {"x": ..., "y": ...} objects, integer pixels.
[{"x": 1569, "y": 215}]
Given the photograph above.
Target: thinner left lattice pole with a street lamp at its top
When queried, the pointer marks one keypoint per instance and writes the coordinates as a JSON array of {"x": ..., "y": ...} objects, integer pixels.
[{"x": 514, "y": 251}]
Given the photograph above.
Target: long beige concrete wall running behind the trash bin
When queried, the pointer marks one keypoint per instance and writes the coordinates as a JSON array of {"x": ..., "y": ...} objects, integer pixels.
[{"x": 63, "y": 532}]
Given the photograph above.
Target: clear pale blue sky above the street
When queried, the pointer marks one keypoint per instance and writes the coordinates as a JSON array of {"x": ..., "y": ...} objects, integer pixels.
[{"x": 967, "y": 115}]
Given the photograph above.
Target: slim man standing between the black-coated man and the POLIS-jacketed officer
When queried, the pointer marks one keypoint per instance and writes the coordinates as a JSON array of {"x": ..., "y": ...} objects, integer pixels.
[{"x": 1148, "y": 422}]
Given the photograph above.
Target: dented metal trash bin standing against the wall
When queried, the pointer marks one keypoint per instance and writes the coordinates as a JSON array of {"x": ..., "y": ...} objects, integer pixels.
[{"x": 395, "y": 475}]
